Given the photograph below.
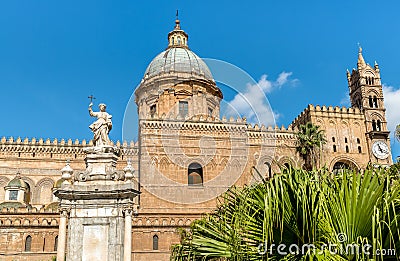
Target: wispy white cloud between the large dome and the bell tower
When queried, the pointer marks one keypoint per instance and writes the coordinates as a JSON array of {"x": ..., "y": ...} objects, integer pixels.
[{"x": 253, "y": 103}]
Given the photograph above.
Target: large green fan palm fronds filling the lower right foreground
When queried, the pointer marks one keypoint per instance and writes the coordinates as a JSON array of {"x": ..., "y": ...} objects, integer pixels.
[{"x": 302, "y": 208}]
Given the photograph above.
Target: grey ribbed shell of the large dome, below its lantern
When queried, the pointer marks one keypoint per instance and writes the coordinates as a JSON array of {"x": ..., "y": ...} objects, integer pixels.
[{"x": 178, "y": 59}]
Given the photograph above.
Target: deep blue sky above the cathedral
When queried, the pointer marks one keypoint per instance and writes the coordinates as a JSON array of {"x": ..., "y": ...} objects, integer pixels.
[{"x": 53, "y": 54}]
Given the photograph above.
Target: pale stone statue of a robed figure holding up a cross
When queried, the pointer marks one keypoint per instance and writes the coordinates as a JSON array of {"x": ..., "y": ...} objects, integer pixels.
[{"x": 101, "y": 127}]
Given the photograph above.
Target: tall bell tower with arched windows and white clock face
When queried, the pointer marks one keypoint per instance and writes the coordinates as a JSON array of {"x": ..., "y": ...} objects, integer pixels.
[{"x": 366, "y": 94}]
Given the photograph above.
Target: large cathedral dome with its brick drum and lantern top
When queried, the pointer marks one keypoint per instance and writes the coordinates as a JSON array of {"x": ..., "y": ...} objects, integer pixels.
[{"x": 177, "y": 83}]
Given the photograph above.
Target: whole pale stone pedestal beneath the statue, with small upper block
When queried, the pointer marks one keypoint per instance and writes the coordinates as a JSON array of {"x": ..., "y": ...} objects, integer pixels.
[{"x": 98, "y": 204}]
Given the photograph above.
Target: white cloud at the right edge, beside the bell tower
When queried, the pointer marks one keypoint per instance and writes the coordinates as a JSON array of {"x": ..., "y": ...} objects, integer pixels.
[{"x": 392, "y": 104}]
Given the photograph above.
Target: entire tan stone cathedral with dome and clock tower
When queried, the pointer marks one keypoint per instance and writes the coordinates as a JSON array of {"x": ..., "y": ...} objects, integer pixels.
[{"x": 187, "y": 154}]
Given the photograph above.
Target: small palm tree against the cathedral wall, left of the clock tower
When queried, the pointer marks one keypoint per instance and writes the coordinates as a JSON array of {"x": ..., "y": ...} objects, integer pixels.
[{"x": 310, "y": 139}]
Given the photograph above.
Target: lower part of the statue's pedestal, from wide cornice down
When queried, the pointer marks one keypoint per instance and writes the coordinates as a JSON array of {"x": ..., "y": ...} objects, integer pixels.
[{"x": 97, "y": 216}]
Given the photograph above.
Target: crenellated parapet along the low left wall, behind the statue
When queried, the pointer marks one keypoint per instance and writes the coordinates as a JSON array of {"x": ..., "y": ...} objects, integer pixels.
[{"x": 56, "y": 148}]
